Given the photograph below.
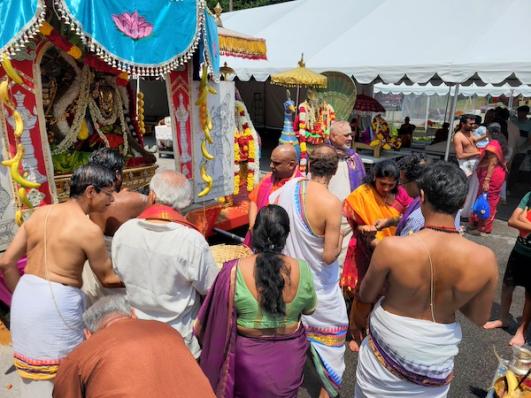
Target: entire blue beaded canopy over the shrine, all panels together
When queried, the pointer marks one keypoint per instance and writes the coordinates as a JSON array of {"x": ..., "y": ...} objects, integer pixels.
[{"x": 142, "y": 37}]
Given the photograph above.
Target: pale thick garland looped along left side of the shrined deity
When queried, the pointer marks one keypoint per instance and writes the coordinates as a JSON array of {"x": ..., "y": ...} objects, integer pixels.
[{"x": 71, "y": 132}]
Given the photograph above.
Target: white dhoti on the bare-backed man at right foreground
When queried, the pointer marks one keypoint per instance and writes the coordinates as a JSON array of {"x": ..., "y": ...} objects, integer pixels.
[{"x": 406, "y": 357}]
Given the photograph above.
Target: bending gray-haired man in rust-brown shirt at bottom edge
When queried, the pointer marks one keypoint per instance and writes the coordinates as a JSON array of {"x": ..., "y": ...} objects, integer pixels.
[{"x": 127, "y": 357}]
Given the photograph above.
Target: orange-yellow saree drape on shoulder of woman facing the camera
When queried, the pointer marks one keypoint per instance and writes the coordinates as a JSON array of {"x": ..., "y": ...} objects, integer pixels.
[{"x": 364, "y": 206}]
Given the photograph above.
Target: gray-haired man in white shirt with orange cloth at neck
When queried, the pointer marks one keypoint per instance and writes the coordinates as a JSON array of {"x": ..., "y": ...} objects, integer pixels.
[{"x": 164, "y": 262}]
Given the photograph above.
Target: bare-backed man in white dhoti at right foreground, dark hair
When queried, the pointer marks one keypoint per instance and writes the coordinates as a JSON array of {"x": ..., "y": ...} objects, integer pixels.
[{"x": 428, "y": 276}]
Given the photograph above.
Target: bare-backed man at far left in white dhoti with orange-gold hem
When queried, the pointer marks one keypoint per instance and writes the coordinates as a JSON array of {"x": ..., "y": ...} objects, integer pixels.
[{"x": 47, "y": 301}]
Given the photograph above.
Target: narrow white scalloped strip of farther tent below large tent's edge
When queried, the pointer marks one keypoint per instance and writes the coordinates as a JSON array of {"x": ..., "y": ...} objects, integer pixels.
[{"x": 443, "y": 89}]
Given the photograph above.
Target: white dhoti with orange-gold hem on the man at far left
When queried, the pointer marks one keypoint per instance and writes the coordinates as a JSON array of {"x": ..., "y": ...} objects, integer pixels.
[{"x": 46, "y": 325}]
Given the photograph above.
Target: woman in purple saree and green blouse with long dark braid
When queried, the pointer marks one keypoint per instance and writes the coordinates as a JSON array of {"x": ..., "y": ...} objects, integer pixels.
[{"x": 253, "y": 344}]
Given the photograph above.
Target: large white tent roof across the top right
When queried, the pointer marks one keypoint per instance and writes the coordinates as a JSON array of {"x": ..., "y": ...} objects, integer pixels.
[{"x": 413, "y": 40}]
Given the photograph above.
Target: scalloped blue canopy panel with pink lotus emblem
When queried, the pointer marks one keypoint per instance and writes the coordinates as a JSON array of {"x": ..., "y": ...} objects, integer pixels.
[{"x": 145, "y": 37}]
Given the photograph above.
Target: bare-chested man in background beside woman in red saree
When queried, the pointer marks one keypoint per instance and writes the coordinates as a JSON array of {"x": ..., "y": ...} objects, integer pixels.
[{"x": 468, "y": 157}]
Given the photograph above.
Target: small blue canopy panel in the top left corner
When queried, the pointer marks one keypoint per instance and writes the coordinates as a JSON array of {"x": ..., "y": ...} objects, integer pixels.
[{"x": 19, "y": 21}]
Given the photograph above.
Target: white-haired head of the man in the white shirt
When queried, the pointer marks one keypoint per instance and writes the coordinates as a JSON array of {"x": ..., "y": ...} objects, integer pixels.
[{"x": 172, "y": 189}]
